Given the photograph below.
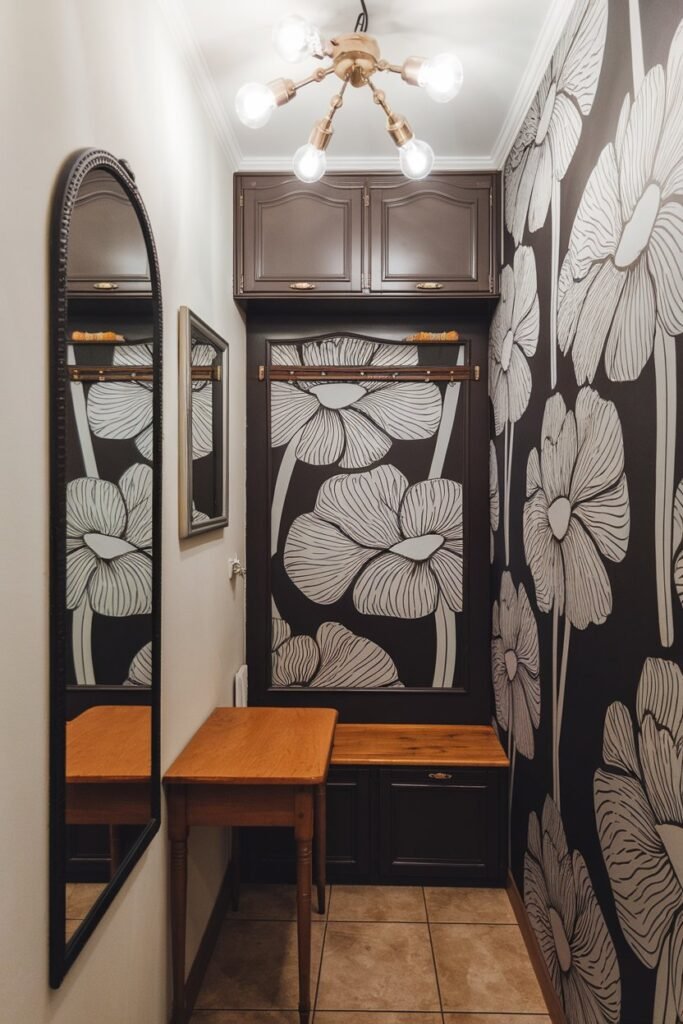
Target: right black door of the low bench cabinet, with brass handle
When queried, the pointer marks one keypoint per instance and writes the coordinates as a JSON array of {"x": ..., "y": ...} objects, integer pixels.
[{"x": 443, "y": 825}]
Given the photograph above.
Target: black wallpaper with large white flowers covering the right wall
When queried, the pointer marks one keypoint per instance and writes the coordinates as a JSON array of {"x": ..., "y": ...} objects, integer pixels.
[{"x": 586, "y": 484}]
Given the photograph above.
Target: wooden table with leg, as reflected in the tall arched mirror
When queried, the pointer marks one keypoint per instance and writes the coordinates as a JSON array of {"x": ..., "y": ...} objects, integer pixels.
[{"x": 109, "y": 771}]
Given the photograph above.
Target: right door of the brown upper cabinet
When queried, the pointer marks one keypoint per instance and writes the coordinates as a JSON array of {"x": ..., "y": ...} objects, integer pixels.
[{"x": 434, "y": 236}]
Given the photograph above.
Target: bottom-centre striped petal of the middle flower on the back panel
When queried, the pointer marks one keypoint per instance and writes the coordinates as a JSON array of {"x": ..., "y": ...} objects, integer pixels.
[{"x": 395, "y": 586}]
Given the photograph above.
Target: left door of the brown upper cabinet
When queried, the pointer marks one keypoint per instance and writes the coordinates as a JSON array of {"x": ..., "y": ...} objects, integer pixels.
[{"x": 302, "y": 239}]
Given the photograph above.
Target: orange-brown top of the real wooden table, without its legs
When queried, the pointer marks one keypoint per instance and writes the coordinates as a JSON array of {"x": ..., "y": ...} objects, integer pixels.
[{"x": 259, "y": 746}]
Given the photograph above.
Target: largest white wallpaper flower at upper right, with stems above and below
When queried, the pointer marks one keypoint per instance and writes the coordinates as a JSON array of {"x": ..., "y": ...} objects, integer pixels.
[{"x": 621, "y": 290}]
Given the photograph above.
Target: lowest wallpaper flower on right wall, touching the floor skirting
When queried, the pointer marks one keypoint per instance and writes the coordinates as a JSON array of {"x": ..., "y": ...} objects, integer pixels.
[{"x": 569, "y": 924}]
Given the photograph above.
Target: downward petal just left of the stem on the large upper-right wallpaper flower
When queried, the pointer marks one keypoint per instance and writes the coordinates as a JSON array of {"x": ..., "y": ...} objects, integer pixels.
[{"x": 632, "y": 335}]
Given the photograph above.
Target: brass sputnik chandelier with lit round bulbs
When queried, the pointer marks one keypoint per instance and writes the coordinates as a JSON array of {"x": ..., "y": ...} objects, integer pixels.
[{"x": 356, "y": 60}]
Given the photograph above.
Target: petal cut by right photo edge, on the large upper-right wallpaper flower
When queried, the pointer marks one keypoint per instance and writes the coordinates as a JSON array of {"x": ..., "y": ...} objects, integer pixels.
[{"x": 665, "y": 260}]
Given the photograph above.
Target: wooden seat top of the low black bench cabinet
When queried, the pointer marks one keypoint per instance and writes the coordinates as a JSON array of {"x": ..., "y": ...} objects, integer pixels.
[{"x": 465, "y": 746}]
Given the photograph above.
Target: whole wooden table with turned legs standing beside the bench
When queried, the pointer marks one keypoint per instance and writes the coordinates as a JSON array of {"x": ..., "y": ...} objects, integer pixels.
[{"x": 251, "y": 766}]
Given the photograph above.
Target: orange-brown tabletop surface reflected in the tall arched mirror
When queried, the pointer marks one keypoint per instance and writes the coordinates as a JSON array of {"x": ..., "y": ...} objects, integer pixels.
[{"x": 110, "y": 744}]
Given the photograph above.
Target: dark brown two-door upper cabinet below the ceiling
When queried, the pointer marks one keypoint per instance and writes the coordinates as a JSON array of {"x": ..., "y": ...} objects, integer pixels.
[{"x": 367, "y": 235}]
